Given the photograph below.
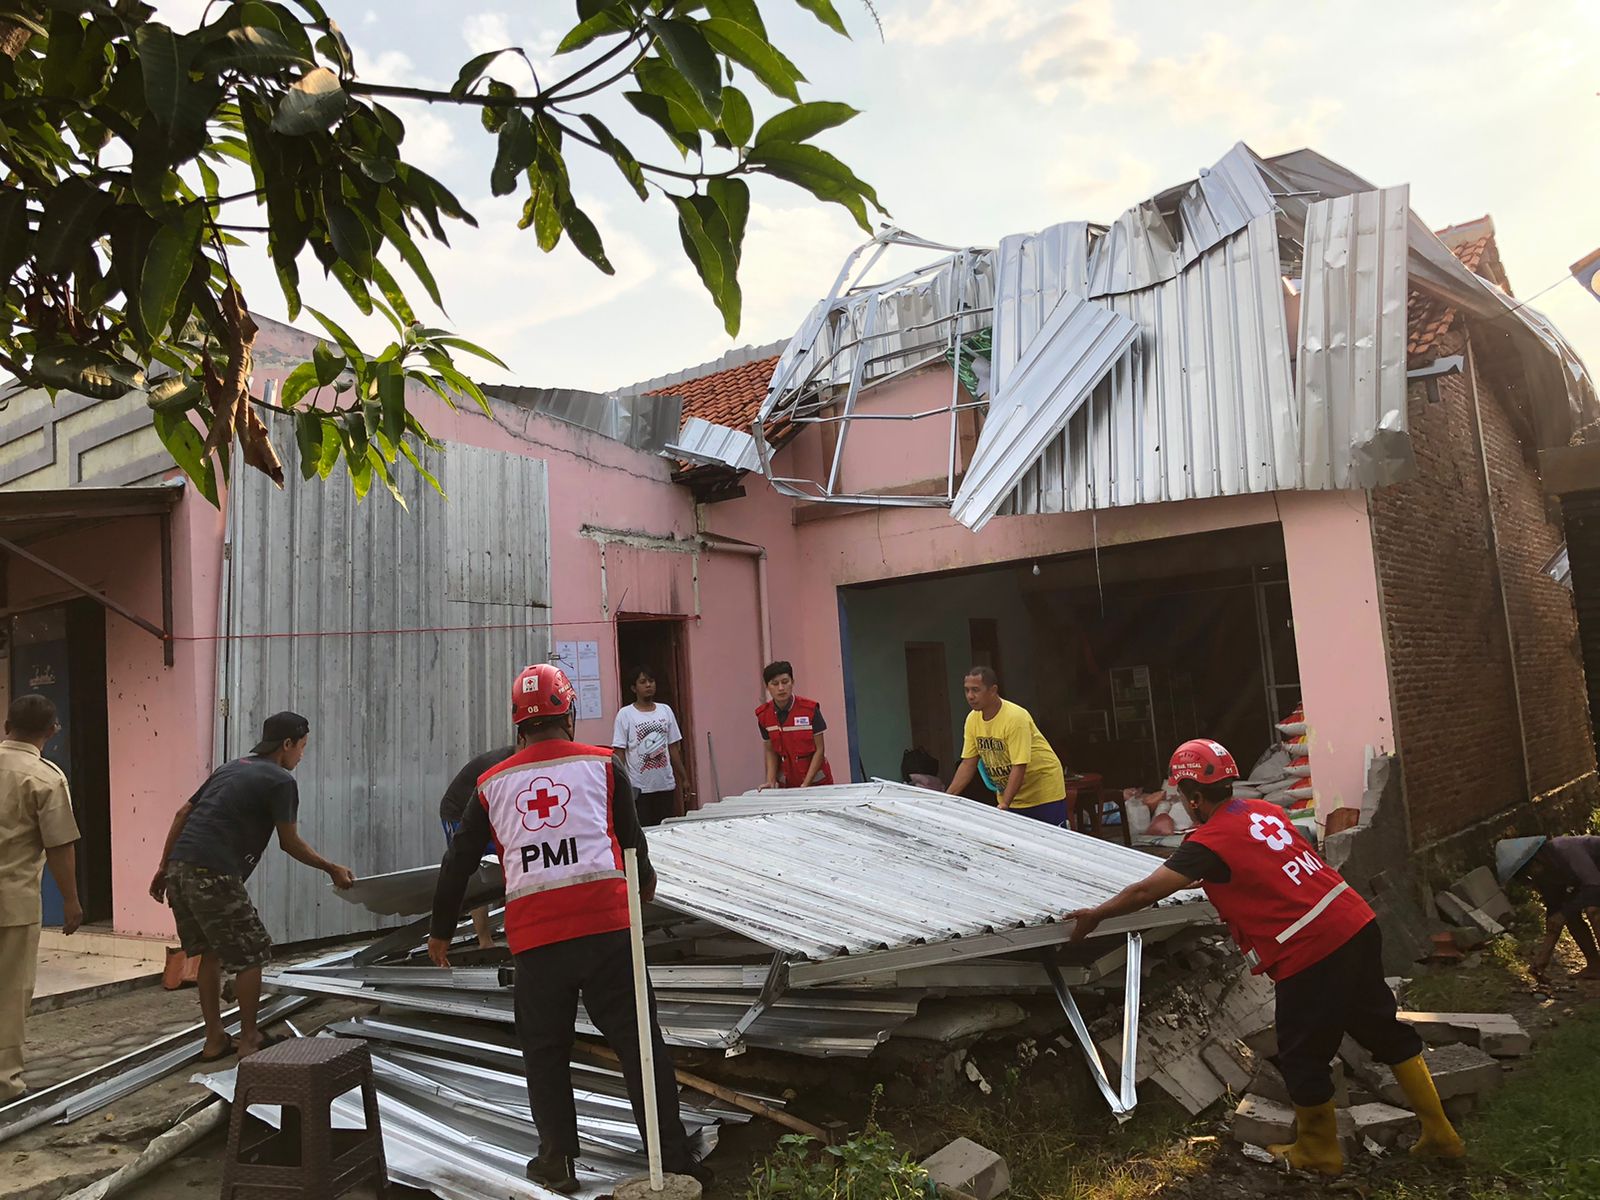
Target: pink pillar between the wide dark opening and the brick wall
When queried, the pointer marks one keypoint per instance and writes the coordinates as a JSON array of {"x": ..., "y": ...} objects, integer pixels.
[{"x": 1338, "y": 639}]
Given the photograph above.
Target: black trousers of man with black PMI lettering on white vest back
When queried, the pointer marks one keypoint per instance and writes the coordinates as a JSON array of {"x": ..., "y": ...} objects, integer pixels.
[{"x": 601, "y": 970}]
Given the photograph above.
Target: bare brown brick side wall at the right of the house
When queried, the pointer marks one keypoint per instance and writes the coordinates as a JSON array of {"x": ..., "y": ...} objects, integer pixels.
[{"x": 1450, "y": 666}]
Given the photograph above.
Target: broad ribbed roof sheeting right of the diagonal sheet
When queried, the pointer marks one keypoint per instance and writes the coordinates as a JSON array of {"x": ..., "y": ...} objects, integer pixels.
[{"x": 1204, "y": 406}]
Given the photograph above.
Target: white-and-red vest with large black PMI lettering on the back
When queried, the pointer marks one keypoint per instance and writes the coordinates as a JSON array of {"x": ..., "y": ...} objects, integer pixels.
[{"x": 551, "y": 810}]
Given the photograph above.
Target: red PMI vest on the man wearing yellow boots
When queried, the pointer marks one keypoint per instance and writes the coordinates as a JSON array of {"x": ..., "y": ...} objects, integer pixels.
[{"x": 1286, "y": 908}]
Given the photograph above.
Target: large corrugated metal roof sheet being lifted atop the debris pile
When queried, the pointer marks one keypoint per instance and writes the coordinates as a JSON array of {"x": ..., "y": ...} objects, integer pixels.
[{"x": 860, "y": 868}]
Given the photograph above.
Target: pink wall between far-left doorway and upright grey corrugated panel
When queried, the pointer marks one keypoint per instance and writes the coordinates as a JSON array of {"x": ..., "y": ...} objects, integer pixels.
[{"x": 159, "y": 719}]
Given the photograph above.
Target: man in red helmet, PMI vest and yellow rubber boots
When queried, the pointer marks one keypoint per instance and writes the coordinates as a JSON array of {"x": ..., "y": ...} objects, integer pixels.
[{"x": 1297, "y": 921}]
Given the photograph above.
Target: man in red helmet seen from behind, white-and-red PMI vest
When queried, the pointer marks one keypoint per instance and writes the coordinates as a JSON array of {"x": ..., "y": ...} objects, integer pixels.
[{"x": 561, "y": 818}]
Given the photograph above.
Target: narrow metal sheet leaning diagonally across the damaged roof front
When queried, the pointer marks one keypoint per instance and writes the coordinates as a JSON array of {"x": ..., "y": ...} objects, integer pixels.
[{"x": 1063, "y": 364}]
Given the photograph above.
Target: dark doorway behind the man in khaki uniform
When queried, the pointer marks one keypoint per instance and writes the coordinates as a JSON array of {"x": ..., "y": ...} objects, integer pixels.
[{"x": 60, "y": 652}]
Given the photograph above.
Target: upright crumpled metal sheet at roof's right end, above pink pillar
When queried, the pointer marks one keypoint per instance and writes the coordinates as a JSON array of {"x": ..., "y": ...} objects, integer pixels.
[{"x": 1351, "y": 370}]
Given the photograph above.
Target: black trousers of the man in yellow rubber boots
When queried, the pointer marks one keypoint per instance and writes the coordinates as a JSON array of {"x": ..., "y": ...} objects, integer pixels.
[{"x": 1337, "y": 996}]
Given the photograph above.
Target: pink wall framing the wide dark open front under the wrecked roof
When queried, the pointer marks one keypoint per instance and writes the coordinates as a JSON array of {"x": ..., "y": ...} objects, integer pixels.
[{"x": 1334, "y": 588}]
